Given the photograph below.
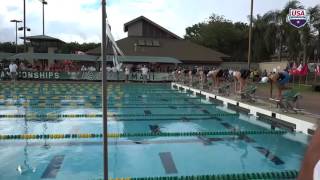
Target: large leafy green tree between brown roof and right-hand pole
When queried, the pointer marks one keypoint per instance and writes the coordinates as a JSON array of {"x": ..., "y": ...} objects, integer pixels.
[{"x": 222, "y": 35}]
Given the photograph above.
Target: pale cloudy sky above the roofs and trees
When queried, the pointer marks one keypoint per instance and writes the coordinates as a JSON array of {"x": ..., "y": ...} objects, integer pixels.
[{"x": 80, "y": 20}]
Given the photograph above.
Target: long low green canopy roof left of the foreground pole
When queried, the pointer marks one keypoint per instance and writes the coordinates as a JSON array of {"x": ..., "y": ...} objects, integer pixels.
[{"x": 74, "y": 57}]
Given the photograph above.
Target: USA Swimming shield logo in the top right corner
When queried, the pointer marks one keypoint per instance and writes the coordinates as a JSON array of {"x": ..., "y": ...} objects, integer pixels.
[{"x": 298, "y": 17}]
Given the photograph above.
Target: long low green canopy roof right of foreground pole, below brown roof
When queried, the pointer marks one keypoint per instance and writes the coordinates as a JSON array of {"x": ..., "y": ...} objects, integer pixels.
[{"x": 145, "y": 59}]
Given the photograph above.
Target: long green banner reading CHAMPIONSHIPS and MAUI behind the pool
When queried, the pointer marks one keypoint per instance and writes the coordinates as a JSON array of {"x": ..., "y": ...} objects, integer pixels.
[{"x": 87, "y": 75}]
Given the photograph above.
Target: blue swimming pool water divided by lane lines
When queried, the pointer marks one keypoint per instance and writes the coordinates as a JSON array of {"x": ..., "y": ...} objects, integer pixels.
[{"x": 178, "y": 134}]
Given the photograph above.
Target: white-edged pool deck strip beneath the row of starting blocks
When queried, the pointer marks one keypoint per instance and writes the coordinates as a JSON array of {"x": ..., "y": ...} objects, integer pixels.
[{"x": 301, "y": 122}]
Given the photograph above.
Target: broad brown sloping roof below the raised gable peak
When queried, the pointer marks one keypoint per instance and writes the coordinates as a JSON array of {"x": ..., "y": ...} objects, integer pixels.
[{"x": 182, "y": 50}]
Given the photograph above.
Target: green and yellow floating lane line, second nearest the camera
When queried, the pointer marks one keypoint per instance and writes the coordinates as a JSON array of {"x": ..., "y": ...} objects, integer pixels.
[{"x": 145, "y": 134}]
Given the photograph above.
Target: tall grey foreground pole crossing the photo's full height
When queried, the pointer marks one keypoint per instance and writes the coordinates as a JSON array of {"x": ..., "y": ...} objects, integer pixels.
[{"x": 104, "y": 91}]
